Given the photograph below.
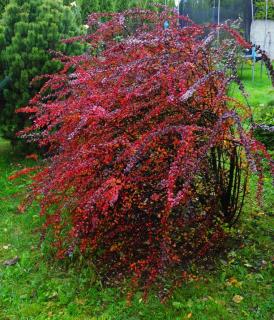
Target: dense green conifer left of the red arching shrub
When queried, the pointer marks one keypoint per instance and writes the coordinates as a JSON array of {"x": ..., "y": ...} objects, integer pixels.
[{"x": 28, "y": 30}]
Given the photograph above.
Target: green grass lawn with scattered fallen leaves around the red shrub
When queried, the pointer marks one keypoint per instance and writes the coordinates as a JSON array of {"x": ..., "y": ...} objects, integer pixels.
[{"x": 237, "y": 286}]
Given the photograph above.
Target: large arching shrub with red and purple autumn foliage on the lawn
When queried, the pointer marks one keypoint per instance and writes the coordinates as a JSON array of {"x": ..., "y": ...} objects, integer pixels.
[{"x": 149, "y": 156}]
